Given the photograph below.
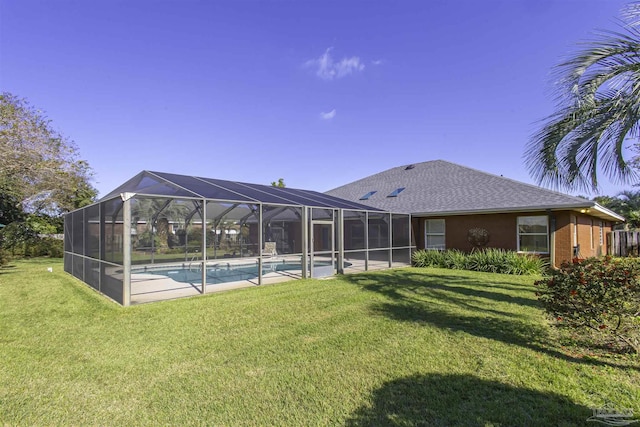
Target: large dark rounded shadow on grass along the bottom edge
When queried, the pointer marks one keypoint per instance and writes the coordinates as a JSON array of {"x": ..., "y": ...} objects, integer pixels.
[{"x": 462, "y": 400}]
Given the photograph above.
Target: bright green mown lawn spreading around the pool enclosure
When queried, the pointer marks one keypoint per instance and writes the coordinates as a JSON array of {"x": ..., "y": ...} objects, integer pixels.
[{"x": 402, "y": 347}]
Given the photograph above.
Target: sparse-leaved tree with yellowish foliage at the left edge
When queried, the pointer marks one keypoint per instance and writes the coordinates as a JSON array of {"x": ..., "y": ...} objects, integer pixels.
[{"x": 39, "y": 167}]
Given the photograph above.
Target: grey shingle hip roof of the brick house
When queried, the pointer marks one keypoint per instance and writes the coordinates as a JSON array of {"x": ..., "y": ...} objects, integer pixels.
[{"x": 439, "y": 187}]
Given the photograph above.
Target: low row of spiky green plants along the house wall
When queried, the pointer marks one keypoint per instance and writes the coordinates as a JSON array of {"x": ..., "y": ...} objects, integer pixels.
[{"x": 487, "y": 260}]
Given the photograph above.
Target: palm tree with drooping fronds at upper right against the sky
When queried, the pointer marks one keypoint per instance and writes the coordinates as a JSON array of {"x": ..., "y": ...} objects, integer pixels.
[{"x": 598, "y": 109}]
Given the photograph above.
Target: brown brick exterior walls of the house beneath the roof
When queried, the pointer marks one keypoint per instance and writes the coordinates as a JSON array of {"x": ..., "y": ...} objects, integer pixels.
[{"x": 503, "y": 232}]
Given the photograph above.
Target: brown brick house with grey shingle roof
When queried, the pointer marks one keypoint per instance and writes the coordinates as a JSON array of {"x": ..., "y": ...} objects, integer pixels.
[{"x": 456, "y": 207}]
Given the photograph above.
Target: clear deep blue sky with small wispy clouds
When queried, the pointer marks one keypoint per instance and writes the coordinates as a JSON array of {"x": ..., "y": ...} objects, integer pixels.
[{"x": 320, "y": 93}]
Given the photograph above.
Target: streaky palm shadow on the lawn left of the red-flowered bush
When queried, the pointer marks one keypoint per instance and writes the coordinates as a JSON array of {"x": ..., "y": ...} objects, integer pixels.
[{"x": 418, "y": 298}]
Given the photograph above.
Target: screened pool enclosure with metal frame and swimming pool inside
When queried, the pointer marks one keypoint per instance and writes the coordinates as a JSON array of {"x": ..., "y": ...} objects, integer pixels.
[{"x": 162, "y": 236}]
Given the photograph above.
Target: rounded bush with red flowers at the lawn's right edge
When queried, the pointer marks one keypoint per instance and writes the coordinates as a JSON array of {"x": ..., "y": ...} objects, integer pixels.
[{"x": 598, "y": 295}]
